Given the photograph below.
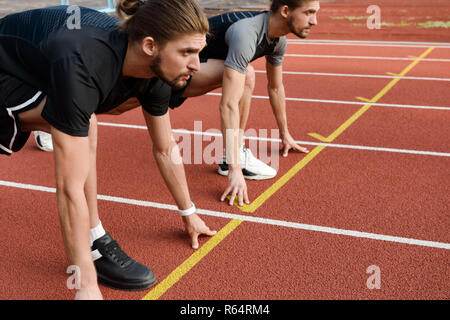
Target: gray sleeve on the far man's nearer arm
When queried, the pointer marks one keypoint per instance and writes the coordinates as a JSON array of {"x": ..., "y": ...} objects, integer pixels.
[{"x": 241, "y": 48}]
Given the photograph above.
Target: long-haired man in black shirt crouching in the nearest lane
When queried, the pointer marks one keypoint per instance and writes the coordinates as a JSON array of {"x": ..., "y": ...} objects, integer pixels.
[{"x": 56, "y": 78}]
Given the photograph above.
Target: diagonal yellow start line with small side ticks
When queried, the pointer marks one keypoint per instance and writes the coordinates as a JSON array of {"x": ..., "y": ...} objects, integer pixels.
[{"x": 197, "y": 256}]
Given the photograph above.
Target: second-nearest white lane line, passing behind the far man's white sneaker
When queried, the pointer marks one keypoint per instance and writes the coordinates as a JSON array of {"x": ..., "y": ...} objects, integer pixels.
[{"x": 332, "y": 145}]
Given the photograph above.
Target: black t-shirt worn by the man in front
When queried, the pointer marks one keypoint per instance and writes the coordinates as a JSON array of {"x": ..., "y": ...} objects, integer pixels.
[{"x": 79, "y": 69}]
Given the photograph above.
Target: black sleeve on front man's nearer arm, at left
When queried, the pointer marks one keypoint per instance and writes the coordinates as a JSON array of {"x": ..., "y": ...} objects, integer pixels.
[{"x": 71, "y": 97}]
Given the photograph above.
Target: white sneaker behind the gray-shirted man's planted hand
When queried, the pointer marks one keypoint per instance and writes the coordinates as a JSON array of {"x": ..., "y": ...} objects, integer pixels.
[{"x": 252, "y": 168}]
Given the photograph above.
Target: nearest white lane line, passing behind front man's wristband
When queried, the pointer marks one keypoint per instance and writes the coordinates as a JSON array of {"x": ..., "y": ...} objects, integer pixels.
[{"x": 272, "y": 222}]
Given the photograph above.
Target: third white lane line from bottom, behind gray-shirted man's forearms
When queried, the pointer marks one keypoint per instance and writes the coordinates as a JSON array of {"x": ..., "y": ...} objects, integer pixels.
[{"x": 361, "y": 103}]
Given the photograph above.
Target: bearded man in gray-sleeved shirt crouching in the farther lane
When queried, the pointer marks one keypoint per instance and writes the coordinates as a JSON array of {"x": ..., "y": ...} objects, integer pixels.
[{"x": 238, "y": 38}]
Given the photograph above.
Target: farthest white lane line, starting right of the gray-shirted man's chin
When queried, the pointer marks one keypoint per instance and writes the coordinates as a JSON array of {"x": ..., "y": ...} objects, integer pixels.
[{"x": 404, "y": 44}]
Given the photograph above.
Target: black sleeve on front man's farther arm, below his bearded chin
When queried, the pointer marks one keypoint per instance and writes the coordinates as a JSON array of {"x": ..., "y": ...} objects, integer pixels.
[{"x": 155, "y": 97}]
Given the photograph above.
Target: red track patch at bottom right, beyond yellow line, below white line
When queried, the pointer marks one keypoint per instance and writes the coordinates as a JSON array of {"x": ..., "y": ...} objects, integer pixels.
[{"x": 303, "y": 265}]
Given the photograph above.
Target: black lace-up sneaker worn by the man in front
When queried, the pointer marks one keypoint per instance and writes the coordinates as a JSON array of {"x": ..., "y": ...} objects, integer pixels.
[{"x": 117, "y": 270}]
